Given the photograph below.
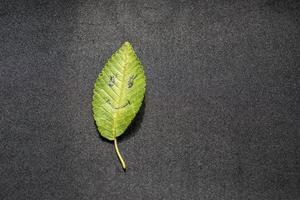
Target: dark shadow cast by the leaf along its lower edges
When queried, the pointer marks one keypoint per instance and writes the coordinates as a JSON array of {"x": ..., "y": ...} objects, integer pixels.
[{"x": 132, "y": 128}]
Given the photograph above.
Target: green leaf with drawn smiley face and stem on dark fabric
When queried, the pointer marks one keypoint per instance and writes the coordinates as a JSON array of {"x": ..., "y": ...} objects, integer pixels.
[{"x": 118, "y": 94}]
